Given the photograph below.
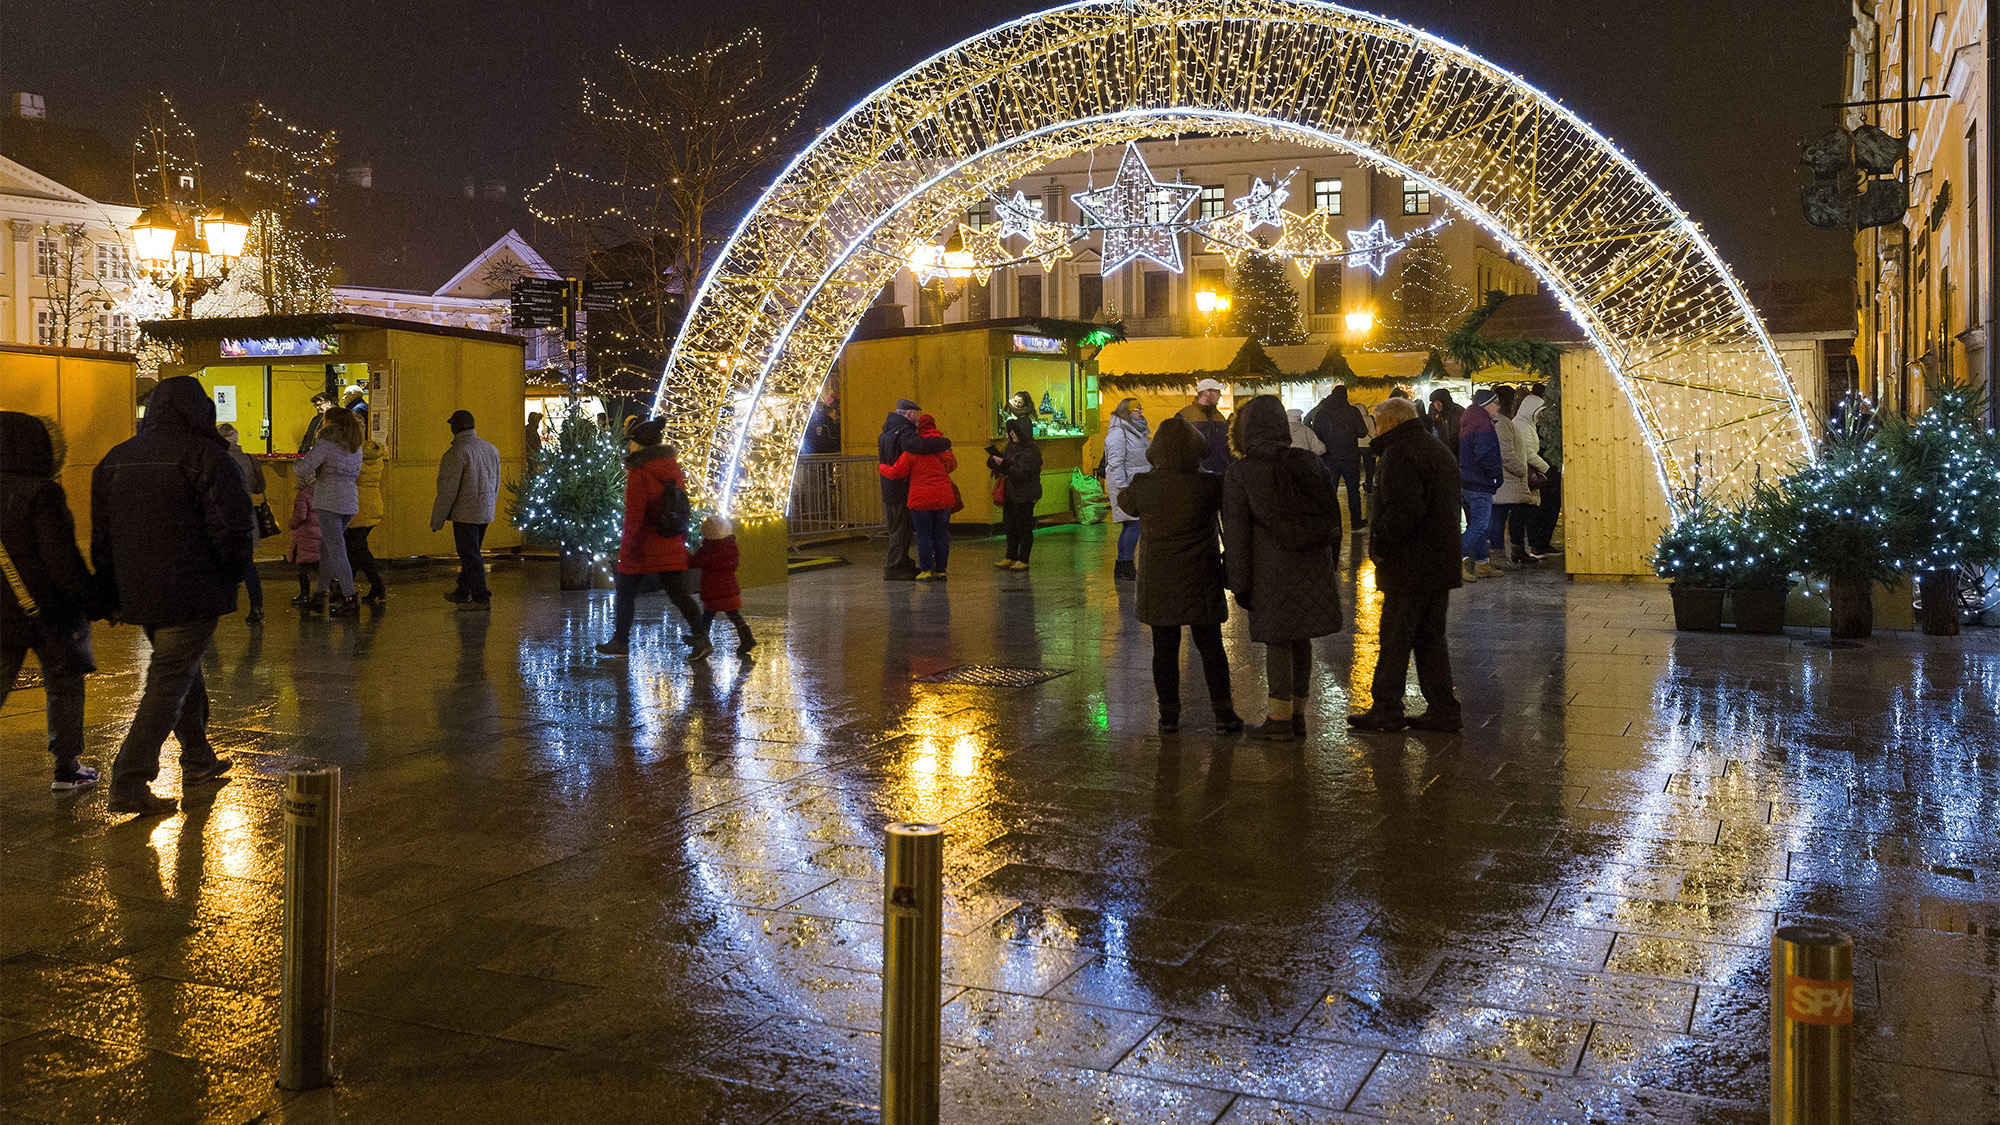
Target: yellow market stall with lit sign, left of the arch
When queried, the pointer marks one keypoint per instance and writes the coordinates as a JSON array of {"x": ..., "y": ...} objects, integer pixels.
[{"x": 265, "y": 371}]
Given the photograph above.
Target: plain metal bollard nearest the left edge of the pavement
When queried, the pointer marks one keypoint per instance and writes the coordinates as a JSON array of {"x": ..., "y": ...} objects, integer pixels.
[{"x": 311, "y": 870}]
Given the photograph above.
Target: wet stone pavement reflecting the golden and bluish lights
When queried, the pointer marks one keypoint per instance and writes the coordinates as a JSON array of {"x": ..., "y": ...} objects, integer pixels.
[{"x": 583, "y": 890}]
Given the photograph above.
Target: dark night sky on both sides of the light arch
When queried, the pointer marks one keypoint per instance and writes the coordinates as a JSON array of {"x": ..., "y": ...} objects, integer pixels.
[{"x": 1709, "y": 97}]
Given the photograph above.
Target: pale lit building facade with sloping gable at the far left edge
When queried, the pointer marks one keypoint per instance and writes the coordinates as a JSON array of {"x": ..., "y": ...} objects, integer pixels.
[{"x": 67, "y": 269}]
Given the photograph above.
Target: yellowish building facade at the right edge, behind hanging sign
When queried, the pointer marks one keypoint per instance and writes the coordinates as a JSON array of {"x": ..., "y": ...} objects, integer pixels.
[{"x": 1927, "y": 283}]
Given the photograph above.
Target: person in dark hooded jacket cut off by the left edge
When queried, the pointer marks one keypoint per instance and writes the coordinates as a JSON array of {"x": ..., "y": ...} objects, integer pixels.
[{"x": 41, "y": 545}]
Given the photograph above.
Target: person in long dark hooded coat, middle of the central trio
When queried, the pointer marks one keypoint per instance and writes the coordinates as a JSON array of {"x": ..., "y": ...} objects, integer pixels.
[{"x": 1281, "y": 523}]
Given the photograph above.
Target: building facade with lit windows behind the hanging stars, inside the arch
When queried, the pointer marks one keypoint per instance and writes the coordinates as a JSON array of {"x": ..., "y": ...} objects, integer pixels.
[{"x": 1161, "y": 303}]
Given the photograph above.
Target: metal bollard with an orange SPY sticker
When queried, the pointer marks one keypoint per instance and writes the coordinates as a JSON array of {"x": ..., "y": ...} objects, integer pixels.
[{"x": 1811, "y": 1026}]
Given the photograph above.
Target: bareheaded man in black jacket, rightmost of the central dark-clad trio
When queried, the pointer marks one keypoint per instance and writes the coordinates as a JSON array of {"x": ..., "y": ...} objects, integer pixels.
[{"x": 1415, "y": 549}]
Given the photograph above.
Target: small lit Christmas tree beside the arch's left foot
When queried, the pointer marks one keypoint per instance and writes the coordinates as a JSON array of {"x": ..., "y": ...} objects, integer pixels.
[{"x": 575, "y": 495}]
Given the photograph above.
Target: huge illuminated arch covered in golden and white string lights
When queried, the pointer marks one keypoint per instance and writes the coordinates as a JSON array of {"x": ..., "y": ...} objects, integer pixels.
[{"x": 811, "y": 257}]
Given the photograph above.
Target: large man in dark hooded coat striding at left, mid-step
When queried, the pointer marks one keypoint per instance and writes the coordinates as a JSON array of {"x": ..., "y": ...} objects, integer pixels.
[{"x": 171, "y": 537}]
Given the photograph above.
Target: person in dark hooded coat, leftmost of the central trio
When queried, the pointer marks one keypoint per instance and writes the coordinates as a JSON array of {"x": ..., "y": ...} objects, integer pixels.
[{"x": 1177, "y": 505}]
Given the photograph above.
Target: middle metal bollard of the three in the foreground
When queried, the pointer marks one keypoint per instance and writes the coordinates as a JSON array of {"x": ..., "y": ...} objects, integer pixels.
[{"x": 913, "y": 966}]
